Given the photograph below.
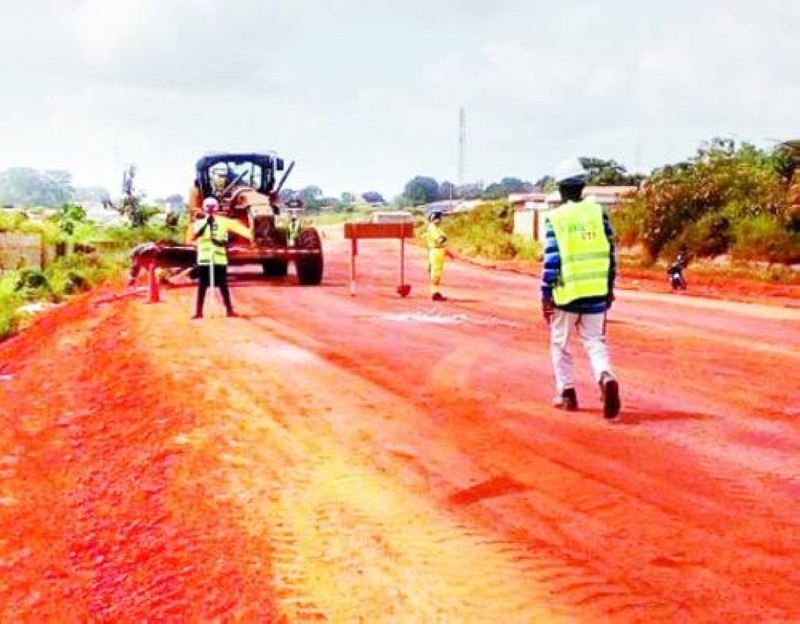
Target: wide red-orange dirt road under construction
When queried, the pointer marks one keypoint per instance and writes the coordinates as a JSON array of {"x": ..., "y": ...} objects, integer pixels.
[{"x": 368, "y": 458}]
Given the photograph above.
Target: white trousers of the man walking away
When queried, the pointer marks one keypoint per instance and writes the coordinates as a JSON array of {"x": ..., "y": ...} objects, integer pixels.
[{"x": 592, "y": 330}]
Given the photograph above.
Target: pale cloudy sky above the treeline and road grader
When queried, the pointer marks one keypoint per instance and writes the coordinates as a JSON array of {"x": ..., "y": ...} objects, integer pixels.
[{"x": 364, "y": 95}]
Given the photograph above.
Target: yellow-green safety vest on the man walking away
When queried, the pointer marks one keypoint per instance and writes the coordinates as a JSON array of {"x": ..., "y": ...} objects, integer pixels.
[{"x": 584, "y": 251}]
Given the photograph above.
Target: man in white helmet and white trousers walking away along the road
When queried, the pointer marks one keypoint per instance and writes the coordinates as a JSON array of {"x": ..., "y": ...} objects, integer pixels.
[{"x": 578, "y": 287}]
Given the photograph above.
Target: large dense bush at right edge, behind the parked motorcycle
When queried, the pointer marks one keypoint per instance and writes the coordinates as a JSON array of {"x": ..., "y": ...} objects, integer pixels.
[{"x": 728, "y": 199}]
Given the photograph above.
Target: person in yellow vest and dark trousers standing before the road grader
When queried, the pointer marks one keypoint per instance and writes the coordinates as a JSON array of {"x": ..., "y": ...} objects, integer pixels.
[{"x": 211, "y": 236}]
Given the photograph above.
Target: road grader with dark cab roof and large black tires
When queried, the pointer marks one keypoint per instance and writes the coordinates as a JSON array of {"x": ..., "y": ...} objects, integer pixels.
[{"x": 248, "y": 191}]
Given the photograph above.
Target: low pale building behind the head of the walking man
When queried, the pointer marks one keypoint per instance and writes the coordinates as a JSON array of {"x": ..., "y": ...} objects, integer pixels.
[{"x": 530, "y": 208}]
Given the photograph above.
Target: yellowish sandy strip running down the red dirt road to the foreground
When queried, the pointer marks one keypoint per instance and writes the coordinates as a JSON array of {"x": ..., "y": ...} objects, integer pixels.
[{"x": 352, "y": 541}]
